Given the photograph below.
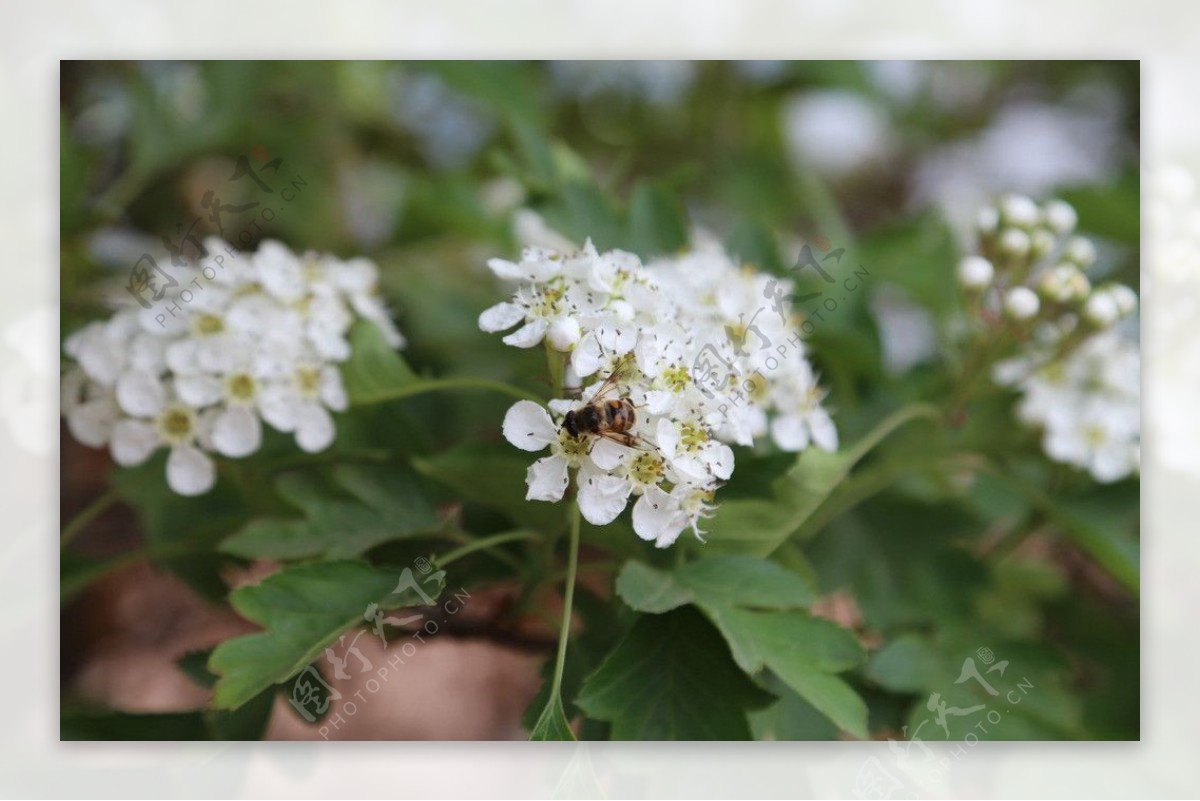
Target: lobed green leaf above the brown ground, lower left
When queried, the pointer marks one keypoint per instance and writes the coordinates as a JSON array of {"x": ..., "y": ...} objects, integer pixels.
[{"x": 303, "y": 610}]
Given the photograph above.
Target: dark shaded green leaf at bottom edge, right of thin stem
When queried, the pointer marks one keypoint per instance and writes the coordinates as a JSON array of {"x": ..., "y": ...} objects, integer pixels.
[{"x": 673, "y": 679}]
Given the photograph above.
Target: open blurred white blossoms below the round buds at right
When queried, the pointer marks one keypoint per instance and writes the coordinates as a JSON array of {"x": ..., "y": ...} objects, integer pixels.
[{"x": 1088, "y": 403}]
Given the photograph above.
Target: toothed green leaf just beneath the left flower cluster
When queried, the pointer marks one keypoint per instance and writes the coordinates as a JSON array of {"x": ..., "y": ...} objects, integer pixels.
[{"x": 388, "y": 505}]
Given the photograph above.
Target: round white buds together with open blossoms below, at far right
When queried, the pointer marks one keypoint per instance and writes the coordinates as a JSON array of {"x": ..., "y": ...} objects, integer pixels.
[{"x": 1079, "y": 374}]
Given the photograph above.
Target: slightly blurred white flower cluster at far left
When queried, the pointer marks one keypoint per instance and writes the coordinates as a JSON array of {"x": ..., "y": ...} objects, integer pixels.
[{"x": 199, "y": 371}]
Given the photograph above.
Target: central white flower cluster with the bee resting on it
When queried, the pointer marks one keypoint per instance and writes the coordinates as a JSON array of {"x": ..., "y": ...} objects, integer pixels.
[{"x": 695, "y": 347}]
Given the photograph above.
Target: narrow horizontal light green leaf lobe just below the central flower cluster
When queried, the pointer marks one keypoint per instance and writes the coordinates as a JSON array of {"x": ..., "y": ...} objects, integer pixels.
[{"x": 713, "y": 582}]
